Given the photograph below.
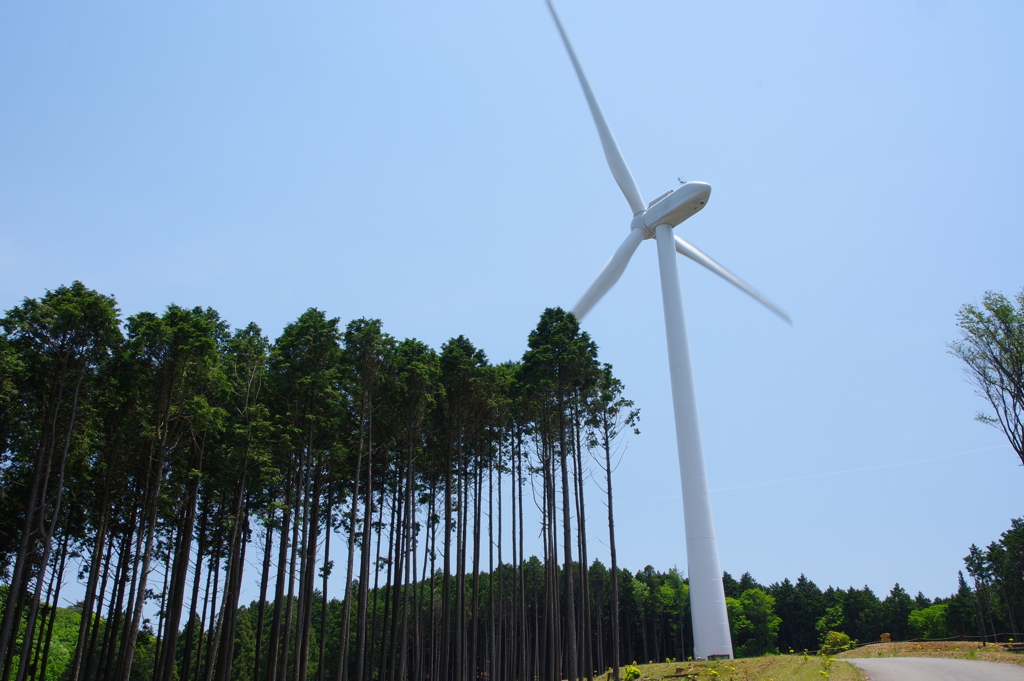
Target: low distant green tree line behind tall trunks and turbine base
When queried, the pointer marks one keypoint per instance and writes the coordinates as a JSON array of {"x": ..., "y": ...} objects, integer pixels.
[{"x": 654, "y": 617}]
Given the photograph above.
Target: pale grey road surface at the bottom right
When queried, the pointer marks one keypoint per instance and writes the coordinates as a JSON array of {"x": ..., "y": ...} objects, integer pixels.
[{"x": 936, "y": 669}]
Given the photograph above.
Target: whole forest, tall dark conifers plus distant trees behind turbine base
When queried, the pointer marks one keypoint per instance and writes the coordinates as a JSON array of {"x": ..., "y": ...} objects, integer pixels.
[{"x": 154, "y": 459}]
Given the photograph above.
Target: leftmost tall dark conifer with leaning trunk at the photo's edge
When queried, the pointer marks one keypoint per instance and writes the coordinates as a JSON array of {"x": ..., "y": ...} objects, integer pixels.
[{"x": 61, "y": 340}]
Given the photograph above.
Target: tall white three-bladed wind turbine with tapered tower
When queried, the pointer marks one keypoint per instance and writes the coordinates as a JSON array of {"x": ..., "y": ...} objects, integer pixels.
[{"x": 657, "y": 221}]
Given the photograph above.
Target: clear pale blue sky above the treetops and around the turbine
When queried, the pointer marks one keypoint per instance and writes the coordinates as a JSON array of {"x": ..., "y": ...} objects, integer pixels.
[{"x": 435, "y": 165}]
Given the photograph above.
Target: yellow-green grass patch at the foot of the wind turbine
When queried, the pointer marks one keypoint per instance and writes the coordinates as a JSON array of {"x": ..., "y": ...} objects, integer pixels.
[{"x": 770, "y": 668}]
